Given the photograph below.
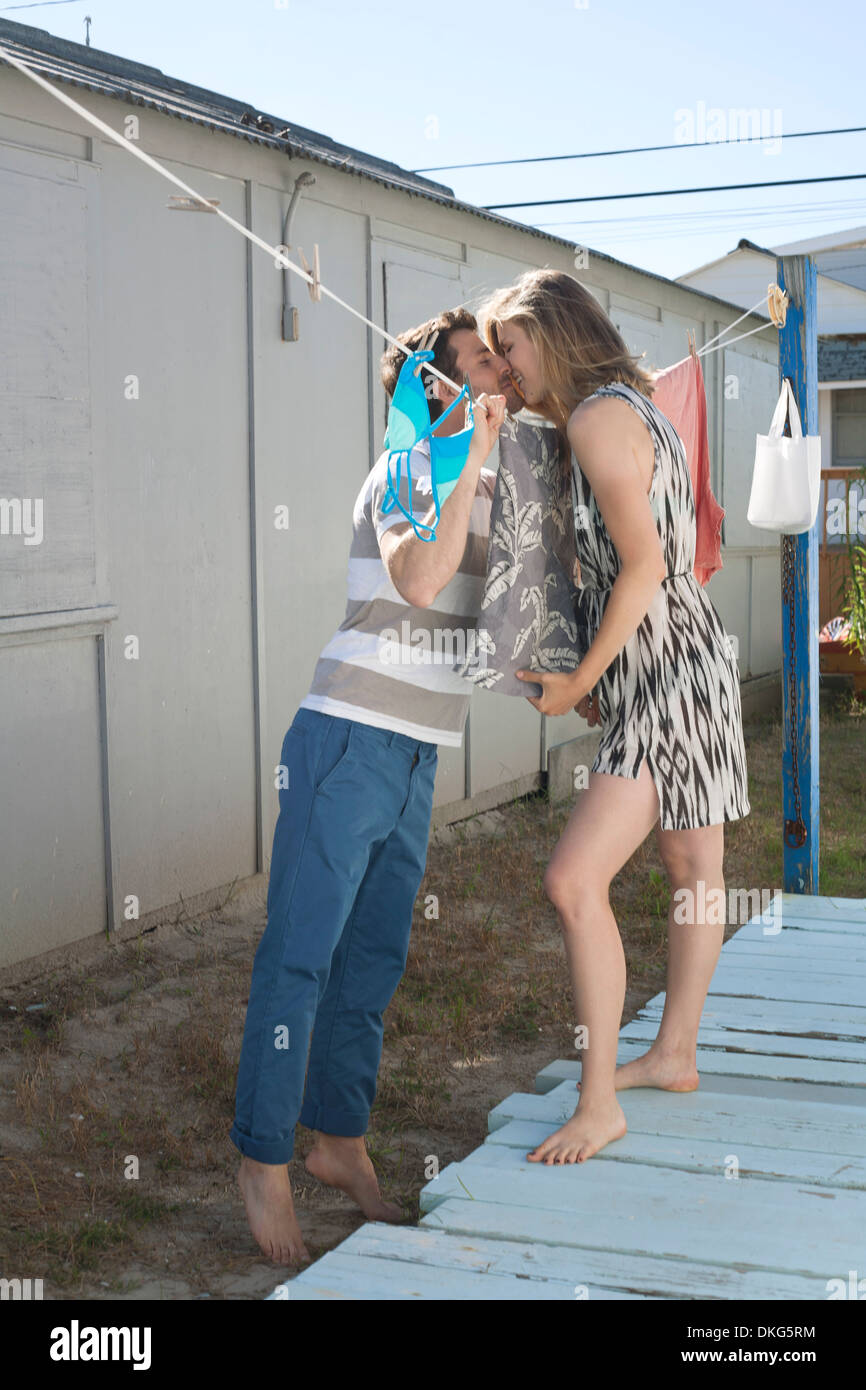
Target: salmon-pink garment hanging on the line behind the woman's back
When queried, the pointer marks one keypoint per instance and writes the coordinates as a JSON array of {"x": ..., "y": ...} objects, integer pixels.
[{"x": 680, "y": 395}]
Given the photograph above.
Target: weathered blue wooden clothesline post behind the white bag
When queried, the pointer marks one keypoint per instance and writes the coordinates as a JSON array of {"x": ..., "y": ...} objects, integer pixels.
[{"x": 800, "y": 579}]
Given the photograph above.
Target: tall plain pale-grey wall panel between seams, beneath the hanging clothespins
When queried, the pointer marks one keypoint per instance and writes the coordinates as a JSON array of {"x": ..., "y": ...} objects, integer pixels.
[{"x": 177, "y": 500}]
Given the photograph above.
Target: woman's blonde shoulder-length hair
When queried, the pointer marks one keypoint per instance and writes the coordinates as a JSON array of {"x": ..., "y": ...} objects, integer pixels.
[{"x": 579, "y": 348}]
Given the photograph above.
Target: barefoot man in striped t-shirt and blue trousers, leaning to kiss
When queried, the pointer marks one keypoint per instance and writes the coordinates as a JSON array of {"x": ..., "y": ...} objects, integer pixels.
[{"x": 351, "y": 840}]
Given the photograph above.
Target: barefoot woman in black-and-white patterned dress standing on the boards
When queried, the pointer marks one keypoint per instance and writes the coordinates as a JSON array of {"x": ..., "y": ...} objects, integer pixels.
[{"x": 668, "y": 692}]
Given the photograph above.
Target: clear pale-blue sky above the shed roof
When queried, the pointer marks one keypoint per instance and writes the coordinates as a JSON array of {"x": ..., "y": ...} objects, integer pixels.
[{"x": 425, "y": 84}]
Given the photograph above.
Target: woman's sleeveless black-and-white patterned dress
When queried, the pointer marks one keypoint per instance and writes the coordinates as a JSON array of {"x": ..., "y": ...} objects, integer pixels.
[{"x": 672, "y": 694}]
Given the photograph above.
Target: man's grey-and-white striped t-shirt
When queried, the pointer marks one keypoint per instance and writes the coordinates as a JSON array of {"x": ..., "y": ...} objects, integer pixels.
[{"x": 390, "y": 664}]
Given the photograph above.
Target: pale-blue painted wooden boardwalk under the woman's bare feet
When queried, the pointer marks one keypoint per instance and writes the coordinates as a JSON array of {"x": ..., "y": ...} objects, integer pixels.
[{"x": 662, "y": 1213}]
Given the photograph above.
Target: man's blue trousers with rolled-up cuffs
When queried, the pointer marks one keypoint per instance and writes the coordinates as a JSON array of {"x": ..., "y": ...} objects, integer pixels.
[{"x": 348, "y": 860}]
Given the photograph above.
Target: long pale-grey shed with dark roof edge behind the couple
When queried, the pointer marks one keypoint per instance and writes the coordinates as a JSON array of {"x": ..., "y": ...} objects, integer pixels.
[{"x": 156, "y": 397}]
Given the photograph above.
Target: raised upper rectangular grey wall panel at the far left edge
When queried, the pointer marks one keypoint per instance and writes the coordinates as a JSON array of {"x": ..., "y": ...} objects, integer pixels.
[{"x": 47, "y": 450}]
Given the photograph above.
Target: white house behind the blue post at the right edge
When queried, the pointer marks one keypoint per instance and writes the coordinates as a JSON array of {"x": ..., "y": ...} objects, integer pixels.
[{"x": 840, "y": 259}]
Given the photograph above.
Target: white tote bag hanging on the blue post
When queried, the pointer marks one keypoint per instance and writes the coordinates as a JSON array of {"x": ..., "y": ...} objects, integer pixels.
[{"x": 787, "y": 477}]
